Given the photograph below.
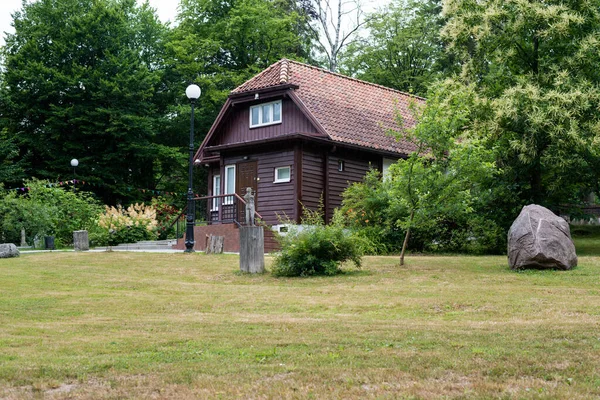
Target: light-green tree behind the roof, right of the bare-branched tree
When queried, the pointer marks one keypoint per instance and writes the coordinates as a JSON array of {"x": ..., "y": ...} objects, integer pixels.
[{"x": 404, "y": 49}]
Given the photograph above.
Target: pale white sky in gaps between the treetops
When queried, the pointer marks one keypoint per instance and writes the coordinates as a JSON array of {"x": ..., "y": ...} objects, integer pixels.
[{"x": 166, "y": 10}]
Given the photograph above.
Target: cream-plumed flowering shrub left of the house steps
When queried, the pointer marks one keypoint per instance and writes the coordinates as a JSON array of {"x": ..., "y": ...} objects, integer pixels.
[{"x": 136, "y": 222}]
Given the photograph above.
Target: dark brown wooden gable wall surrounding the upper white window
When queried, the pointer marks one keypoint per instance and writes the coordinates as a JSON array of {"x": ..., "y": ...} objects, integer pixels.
[{"x": 236, "y": 127}]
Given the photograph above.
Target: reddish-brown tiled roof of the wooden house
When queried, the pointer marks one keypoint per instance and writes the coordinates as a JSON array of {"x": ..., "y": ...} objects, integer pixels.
[{"x": 351, "y": 111}]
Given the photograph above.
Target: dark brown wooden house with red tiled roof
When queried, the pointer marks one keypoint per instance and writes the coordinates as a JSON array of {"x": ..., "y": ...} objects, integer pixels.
[{"x": 295, "y": 134}]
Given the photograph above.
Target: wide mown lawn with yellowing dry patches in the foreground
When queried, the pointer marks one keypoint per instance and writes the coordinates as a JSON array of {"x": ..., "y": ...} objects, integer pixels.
[{"x": 133, "y": 325}]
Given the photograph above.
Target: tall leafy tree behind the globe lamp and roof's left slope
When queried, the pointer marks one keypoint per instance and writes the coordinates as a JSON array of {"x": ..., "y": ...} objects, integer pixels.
[{"x": 219, "y": 45}]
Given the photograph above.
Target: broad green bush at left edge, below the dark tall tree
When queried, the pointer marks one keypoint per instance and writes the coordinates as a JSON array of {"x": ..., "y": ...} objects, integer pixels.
[{"x": 46, "y": 210}]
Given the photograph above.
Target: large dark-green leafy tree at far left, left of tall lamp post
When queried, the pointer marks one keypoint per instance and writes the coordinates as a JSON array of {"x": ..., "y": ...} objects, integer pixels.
[{"x": 83, "y": 80}]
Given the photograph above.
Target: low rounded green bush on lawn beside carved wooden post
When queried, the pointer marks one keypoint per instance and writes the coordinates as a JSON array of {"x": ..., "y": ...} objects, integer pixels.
[{"x": 315, "y": 248}]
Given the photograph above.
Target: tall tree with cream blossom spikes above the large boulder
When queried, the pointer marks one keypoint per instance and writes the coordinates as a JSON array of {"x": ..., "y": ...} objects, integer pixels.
[{"x": 534, "y": 65}]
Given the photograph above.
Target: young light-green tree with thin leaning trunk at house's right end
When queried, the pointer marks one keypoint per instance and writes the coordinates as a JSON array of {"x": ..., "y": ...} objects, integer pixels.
[{"x": 442, "y": 175}]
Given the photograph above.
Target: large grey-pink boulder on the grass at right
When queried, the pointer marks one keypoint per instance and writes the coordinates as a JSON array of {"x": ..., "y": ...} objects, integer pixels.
[{"x": 540, "y": 239}]
